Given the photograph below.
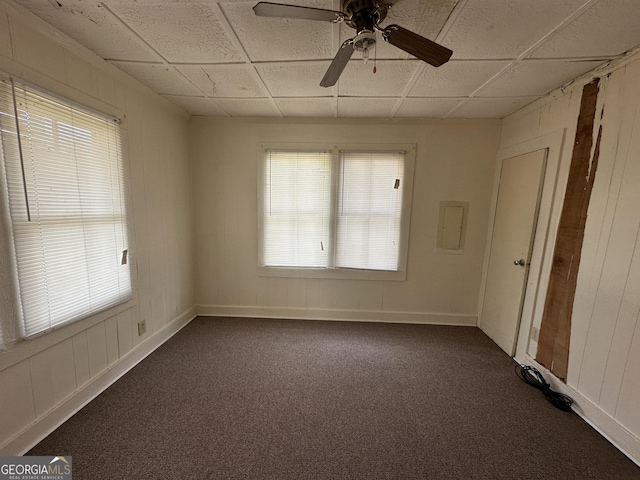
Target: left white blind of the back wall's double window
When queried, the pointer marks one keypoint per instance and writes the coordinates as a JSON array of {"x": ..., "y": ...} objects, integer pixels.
[{"x": 297, "y": 189}]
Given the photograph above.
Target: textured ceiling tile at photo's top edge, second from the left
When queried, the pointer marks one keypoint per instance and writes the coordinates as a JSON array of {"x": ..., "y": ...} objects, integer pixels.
[{"x": 181, "y": 32}]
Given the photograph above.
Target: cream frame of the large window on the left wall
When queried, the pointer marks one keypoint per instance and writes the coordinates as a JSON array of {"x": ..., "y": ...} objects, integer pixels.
[{"x": 14, "y": 326}]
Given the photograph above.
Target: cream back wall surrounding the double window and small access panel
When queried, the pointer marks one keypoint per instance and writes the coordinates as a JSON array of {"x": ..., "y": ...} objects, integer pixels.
[{"x": 454, "y": 161}]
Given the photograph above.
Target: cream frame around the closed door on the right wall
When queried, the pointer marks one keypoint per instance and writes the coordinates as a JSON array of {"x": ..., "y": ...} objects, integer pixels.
[{"x": 545, "y": 228}]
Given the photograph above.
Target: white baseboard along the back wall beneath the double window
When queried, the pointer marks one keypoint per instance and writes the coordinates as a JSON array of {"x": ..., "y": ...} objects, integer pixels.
[{"x": 336, "y": 314}]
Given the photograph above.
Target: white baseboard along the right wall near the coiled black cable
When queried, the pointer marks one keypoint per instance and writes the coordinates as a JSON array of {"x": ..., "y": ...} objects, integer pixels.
[{"x": 602, "y": 422}]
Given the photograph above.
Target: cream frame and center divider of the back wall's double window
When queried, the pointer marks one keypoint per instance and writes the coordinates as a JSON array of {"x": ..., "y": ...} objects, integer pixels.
[{"x": 338, "y": 272}]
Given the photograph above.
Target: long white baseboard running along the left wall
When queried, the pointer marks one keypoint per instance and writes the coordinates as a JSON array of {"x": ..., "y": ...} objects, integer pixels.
[{"x": 43, "y": 426}]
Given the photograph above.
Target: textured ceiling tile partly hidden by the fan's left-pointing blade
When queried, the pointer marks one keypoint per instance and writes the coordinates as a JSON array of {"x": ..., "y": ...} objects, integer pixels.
[{"x": 273, "y": 39}]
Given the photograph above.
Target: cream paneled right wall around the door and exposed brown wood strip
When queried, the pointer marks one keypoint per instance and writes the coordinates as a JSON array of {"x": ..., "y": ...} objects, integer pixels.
[{"x": 605, "y": 328}]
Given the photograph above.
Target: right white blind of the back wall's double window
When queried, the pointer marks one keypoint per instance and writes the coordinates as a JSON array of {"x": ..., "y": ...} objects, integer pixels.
[{"x": 369, "y": 210}]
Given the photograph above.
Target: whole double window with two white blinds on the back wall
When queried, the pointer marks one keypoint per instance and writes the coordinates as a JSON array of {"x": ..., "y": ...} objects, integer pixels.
[{"x": 339, "y": 212}]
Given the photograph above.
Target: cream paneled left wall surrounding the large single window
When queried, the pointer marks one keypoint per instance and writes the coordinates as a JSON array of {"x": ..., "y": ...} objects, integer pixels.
[{"x": 46, "y": 379}]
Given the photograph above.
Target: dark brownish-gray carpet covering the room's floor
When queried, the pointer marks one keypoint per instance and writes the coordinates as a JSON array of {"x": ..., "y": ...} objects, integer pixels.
[{"x": 281, "y": 399}]
